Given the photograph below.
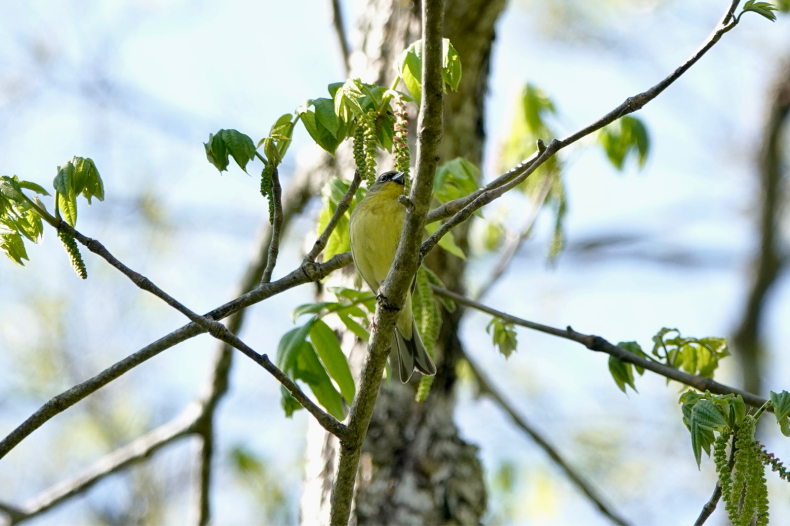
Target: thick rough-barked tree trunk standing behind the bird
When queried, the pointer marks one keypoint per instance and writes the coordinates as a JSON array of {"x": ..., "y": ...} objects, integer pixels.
[{"x": 414, "y": 467}]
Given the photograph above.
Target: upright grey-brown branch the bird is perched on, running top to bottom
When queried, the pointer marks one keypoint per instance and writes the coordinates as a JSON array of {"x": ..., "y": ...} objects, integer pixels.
[{"x": 392, "y": 293}]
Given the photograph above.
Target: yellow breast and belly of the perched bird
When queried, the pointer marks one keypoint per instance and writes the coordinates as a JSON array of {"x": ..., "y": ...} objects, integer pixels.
[{"x": 375, "y": 228}]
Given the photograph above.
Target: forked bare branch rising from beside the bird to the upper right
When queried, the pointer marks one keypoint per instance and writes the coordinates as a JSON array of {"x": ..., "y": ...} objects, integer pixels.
[{"x": 463, "y": 207}]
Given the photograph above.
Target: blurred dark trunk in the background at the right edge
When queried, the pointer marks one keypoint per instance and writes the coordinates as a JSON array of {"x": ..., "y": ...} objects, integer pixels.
[{"x": 768, "y": 259}]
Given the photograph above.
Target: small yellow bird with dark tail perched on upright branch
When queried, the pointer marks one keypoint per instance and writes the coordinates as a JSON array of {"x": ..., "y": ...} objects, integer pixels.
[{"x": 375, "y": 228}]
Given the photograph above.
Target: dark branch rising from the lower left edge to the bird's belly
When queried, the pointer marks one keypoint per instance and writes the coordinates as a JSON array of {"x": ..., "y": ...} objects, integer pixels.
[{"x": 300, "y": 276}]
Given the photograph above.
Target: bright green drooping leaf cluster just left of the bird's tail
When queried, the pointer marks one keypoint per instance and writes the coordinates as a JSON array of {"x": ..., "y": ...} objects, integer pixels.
[{"x": 311, "y": 352}]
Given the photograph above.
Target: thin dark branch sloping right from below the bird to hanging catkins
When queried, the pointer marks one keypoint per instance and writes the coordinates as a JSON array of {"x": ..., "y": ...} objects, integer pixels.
[{"x": 598, "y": 344}]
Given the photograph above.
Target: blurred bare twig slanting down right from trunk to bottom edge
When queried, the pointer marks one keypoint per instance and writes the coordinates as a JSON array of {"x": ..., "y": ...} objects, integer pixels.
[{"x": 543, "y": 443}]
